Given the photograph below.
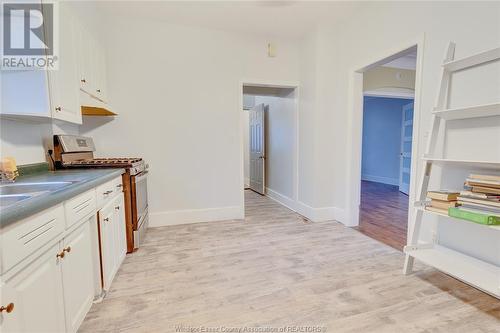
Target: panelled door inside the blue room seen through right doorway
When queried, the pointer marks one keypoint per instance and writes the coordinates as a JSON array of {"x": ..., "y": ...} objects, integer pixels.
[{"x": 406, "y": 146}]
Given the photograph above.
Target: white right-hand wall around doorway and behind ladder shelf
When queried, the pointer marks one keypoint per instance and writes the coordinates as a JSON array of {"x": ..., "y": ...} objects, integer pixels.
[{"x": 370, "y": 33}]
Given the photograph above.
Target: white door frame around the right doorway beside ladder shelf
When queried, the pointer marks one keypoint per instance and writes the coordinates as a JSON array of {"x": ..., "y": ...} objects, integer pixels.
[{"x": 354, "y": 149}]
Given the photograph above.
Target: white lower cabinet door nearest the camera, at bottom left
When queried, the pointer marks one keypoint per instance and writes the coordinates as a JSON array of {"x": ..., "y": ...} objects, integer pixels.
[{"x": 36, "y": 293}]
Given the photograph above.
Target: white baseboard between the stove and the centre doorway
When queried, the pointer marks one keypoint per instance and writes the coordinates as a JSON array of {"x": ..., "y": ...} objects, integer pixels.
[{"x": 161, "y": 219}]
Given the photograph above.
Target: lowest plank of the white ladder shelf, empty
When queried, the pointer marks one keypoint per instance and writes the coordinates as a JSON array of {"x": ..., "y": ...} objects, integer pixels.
[{"x": 470, "y": 270}]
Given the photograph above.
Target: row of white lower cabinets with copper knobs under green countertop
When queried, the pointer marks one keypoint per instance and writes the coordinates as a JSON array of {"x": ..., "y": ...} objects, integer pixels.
[{"x": 50, "y": 266}]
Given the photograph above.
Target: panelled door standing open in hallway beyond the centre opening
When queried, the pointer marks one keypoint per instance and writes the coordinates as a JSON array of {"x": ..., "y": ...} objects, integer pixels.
[{"x": 257, "y": 149}]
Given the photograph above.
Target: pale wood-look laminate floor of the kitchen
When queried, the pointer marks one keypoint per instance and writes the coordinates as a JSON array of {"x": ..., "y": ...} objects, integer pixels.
[{"x": 273, "y": 270}]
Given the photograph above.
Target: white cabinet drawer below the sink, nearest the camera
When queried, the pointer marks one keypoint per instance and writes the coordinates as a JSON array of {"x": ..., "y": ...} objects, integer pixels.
[{"x": 28, "y": 235}]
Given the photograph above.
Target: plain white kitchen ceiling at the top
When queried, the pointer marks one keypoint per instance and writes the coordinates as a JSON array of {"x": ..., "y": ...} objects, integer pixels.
[{"x": 288, "y": 19}]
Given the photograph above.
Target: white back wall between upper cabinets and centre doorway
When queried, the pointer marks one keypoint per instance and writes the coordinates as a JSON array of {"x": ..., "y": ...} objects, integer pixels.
[{"x": 177, "y": 90}]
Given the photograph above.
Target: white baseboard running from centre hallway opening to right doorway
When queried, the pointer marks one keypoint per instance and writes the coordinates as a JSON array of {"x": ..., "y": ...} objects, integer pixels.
[{"x": 314, "y": 214}]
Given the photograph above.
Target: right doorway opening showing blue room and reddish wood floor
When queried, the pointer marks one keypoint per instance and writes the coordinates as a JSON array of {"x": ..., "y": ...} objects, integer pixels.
[{"x": 388, "y": 105}]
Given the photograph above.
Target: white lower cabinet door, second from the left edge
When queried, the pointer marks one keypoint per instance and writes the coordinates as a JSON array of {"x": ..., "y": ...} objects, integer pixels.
[{"x": 77, "y": 276}]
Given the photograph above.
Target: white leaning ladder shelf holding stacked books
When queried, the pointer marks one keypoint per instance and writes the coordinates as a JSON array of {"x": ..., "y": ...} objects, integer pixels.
[{"x": 468, "y": 269}]
